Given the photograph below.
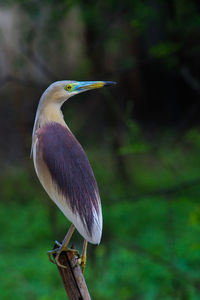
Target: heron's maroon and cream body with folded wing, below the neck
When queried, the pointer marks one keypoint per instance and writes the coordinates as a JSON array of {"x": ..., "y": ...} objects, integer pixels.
[{"x": 65, "y": 172}]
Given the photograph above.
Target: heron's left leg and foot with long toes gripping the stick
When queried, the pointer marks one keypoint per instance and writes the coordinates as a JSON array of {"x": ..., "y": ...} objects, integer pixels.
[{"x": 62, "y": 247}]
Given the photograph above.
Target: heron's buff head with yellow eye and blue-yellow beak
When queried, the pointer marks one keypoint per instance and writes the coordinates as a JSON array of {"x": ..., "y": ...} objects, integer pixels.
[{"x": 60, "y": 91}]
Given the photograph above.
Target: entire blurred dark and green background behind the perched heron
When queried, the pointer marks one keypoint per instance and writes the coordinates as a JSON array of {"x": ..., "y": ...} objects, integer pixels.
[{"x": 142, "y": 138}]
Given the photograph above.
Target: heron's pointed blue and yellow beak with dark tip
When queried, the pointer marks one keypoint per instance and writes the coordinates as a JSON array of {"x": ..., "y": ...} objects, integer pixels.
[{"x": 90, "y": 85}]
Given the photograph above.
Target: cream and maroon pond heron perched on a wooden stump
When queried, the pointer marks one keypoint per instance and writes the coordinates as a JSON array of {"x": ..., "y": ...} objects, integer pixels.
[{"x": 63, "y": 168}]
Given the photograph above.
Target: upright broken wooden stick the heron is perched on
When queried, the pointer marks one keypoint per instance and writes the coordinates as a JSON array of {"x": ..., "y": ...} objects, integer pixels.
[{"x": 72, "y": 277}]
